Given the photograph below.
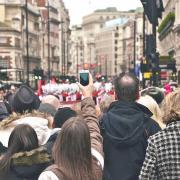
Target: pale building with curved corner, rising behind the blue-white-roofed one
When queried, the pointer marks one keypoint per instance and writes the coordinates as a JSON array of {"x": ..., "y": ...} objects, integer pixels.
[{"x": 93, "y": 24}]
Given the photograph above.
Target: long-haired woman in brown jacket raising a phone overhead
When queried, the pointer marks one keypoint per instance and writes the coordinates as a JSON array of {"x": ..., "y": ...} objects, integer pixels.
[{"x": 77, "y": 152}]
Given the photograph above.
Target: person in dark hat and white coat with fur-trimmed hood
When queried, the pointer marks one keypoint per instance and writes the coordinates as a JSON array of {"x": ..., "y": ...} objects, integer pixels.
[{"x": 25, "y": 102}]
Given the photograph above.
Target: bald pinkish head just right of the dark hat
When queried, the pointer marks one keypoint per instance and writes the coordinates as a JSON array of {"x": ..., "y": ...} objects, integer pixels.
[{"x": 52, "y": 100}]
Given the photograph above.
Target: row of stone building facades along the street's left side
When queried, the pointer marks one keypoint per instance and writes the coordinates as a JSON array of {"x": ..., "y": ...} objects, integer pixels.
[{"x": 46, "y": 35}]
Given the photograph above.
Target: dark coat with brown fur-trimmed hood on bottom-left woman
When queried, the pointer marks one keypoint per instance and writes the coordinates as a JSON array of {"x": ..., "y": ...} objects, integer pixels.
[{"x": 27, "y": 165}]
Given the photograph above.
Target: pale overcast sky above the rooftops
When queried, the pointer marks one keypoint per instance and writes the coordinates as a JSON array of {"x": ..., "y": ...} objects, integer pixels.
[{"x": 79, "y": 8}]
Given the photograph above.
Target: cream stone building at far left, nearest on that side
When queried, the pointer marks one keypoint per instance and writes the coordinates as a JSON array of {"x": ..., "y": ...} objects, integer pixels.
[{"x": 13, "y": 19}]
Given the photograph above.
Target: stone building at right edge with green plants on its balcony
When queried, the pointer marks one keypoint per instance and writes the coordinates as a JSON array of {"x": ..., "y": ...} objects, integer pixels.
[{"x": 169, "y": 33}]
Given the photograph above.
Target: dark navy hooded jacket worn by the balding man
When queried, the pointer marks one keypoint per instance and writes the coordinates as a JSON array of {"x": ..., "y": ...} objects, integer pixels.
[{"x": 125, "y": 129}]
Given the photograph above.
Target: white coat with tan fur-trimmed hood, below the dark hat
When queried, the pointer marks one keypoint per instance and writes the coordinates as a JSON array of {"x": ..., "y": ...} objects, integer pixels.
[{"x": 36, "y": 120}]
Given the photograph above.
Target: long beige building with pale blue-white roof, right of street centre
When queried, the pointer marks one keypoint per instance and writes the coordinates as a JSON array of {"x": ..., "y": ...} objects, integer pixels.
[{"x": 119, "y": 45}]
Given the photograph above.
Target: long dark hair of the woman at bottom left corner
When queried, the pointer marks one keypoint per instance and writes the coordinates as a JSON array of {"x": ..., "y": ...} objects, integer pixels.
[{"x": 22, "y": 138}]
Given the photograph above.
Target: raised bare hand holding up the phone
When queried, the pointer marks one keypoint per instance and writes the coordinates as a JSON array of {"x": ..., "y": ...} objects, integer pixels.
[{"x": 87, "y": 90}]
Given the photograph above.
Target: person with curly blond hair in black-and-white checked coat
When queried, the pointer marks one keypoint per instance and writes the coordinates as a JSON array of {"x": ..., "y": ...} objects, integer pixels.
[{"x": 162, "y": 159}]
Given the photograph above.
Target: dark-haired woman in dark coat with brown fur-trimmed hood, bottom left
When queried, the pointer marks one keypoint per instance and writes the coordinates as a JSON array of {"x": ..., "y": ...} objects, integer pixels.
[{"x": 24, "y": 158}]
